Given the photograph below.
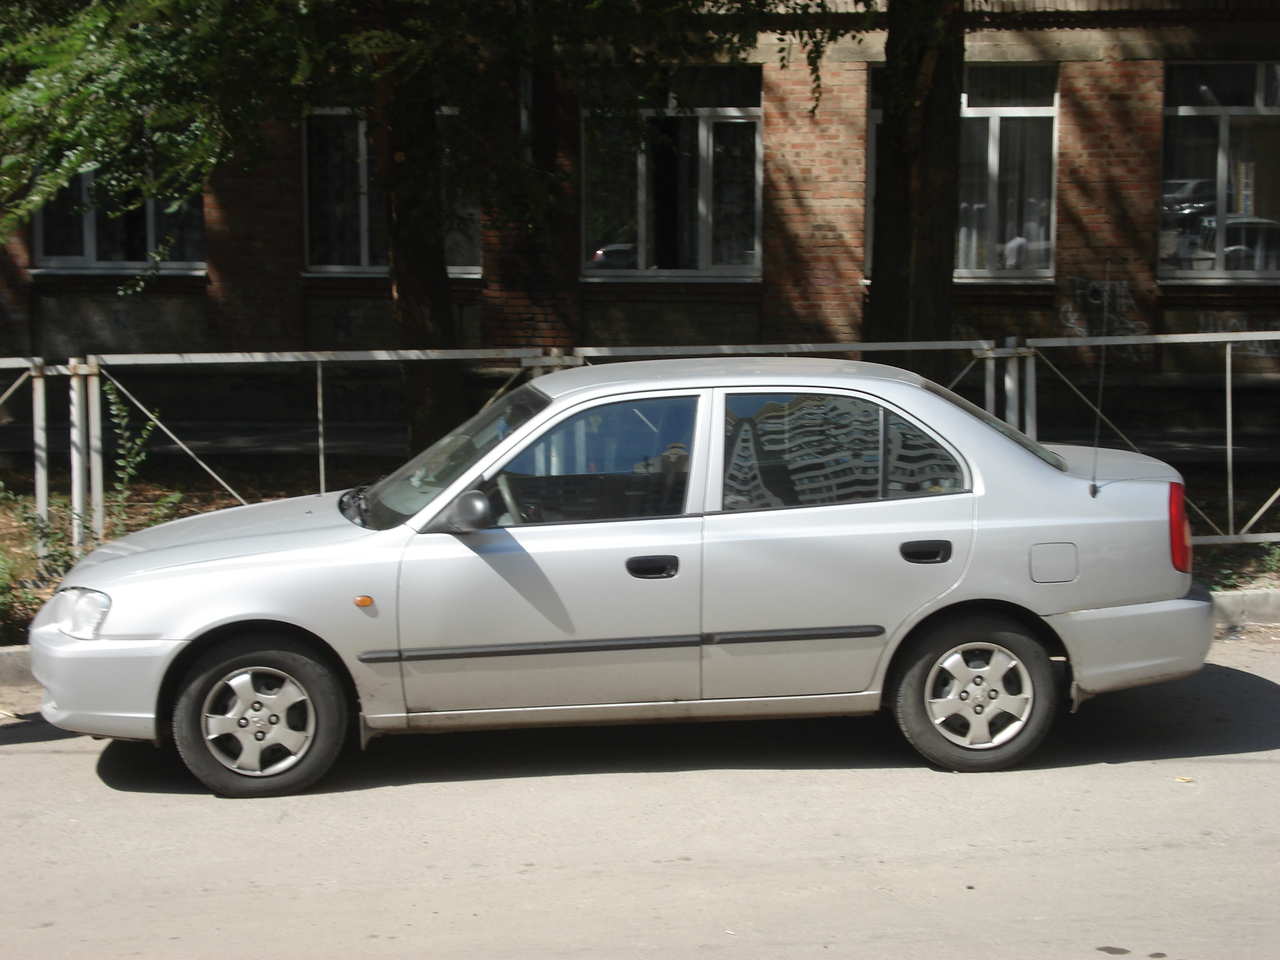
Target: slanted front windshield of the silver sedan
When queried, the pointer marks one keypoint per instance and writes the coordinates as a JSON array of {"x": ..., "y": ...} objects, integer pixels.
[{"x": 400, "y": 496}]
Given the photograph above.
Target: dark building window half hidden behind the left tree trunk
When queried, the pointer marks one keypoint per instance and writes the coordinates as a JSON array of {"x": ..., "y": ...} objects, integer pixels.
[{"x": 348, "y": 207}]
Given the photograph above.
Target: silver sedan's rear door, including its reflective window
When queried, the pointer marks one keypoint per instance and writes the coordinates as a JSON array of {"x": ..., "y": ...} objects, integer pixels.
[{"x": 831, "y": 519}]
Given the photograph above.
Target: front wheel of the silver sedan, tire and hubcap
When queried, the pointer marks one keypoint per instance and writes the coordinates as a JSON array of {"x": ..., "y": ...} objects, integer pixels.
[{"x": 260, "y": 717}]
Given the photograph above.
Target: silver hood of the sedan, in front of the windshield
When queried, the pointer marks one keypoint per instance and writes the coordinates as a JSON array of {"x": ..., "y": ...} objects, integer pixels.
[{"x": 239, "y": 532}]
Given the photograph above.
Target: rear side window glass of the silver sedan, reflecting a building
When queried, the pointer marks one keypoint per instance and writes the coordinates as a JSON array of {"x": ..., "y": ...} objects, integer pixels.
[{"x": 807, "y": 450}]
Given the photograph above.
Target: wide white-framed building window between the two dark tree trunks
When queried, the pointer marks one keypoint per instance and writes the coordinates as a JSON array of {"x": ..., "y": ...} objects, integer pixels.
[{"x": 687, "y": 202}]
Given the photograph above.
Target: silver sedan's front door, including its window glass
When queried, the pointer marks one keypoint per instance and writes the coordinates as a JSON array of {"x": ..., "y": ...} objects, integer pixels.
[{"x": 588, "y": 592}]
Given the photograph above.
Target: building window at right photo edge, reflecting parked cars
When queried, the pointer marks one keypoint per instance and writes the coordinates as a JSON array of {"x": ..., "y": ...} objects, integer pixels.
[{"x": 1220, "y": 205}]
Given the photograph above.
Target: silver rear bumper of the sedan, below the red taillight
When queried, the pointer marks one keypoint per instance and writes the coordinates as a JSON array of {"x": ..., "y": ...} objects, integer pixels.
[{"x": 1144, "y": 643}]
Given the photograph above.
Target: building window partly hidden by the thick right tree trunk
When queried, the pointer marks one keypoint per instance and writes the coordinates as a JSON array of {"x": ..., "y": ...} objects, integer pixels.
[{"x": 1008, "y": 157}]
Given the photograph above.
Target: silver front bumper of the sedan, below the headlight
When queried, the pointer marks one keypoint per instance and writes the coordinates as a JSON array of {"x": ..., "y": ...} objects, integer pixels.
[{"x": 104, "y": 688}]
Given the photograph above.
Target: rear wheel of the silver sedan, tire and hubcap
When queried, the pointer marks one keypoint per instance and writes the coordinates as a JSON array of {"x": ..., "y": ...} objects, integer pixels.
[{"x": 977, "y": 694}]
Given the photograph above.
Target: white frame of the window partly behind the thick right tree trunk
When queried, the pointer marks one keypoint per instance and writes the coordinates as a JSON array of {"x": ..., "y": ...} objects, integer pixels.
[{"x": 994, "y": 115}]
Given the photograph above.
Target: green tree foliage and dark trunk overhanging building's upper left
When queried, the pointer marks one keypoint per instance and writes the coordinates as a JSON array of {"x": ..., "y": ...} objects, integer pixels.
[{"x": 154, "y": 97}]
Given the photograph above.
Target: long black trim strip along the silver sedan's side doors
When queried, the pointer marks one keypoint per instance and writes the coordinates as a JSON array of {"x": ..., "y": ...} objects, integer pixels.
[{"x": 642, "y": 643}]
